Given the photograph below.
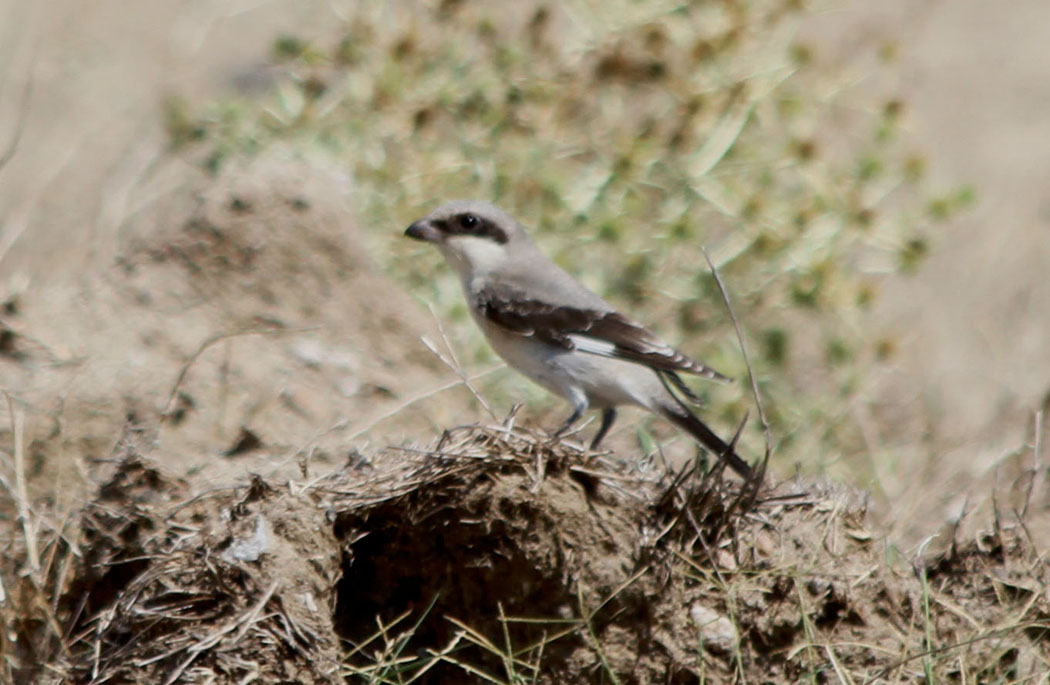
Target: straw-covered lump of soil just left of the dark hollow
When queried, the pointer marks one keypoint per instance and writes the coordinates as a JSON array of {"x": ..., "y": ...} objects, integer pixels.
[{"x": 215, "y": 587}]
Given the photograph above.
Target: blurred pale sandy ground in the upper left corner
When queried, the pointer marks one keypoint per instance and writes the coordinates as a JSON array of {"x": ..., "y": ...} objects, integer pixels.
[{"x": 98, "y": 79}]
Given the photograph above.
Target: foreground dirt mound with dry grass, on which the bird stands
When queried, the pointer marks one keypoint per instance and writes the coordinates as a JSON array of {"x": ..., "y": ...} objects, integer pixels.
[{"x": 502, "y": 556}]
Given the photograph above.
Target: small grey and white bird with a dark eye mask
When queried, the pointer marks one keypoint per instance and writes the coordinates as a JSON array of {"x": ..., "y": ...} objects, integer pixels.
[{"x": 556, "y": 331}]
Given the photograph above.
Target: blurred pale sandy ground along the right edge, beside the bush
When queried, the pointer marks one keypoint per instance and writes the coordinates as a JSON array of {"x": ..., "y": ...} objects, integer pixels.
[{"x": 981, "y": 310}]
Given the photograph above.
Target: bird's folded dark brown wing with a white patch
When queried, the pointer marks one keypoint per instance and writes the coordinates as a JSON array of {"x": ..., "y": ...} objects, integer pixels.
[{"x": 605, "y": 334}]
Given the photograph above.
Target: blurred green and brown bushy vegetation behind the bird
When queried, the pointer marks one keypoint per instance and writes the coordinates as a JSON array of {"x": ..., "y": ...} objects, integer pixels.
[{"x": 628, "y": 136}]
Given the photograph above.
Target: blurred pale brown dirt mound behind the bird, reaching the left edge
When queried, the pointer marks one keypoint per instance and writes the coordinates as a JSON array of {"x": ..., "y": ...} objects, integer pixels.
[{"x": 243, "y": 317}]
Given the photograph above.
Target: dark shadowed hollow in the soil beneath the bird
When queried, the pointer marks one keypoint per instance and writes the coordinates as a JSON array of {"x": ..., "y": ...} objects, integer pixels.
[{"x": 457, "y": 563}]
